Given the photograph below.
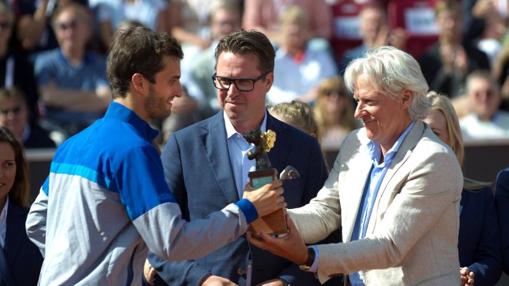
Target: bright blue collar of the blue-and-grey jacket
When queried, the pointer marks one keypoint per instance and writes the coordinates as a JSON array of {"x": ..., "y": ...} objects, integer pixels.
[{"x": 120, "y": 112}]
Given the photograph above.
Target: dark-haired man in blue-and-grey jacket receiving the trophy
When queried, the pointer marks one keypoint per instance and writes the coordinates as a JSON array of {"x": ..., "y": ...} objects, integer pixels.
[{"x": 105, "y": 201}]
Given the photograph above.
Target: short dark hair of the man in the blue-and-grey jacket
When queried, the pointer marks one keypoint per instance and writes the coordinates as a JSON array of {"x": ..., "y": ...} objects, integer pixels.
[{"x": 137, "y": 49}]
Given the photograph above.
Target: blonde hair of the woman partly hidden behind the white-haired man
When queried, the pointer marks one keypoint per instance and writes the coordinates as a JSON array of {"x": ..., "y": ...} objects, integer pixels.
[{"x": 442, "y": 104}]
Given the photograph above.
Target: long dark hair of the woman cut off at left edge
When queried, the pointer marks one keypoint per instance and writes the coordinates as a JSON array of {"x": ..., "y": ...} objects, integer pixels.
[{"x": 20, "y": 191}]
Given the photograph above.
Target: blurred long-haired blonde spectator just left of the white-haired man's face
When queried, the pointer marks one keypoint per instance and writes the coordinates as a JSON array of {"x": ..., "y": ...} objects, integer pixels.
[{"x": 333, "y": 113}]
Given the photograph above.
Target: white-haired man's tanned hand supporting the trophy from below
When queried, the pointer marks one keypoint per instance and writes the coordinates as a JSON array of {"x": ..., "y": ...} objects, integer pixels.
[{"x": 291, "y": 246}]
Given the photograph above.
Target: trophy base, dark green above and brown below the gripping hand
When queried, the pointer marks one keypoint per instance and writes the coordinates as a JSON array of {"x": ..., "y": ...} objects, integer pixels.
[{"x": 273, "y": 223}]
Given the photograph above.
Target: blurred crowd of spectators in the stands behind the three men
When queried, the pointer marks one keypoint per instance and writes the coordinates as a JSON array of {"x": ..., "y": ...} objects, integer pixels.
[{"x": 53, "y": 57}]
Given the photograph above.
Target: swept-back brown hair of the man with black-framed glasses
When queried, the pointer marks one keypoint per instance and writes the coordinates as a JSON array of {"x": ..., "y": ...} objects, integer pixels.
[{"x": 249, "y": 42}]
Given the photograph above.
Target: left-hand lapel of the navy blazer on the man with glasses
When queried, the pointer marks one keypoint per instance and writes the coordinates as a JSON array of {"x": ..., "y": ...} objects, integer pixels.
[{"x": 216, "y": 148}]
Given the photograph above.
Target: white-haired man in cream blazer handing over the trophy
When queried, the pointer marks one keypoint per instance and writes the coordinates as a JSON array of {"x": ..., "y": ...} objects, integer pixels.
[{"x": 395, "y": 189}]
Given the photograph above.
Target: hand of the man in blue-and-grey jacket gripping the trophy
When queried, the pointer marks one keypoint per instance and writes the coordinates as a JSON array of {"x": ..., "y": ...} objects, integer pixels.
[{"x": 267, "y": 199}]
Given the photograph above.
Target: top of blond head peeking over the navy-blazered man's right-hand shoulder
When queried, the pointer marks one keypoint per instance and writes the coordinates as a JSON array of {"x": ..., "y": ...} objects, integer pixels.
[{"x": 297, "y": 114}]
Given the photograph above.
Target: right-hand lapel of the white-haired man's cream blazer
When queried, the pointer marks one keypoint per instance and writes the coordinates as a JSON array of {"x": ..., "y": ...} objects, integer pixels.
[{"x": 393, "y": 173}]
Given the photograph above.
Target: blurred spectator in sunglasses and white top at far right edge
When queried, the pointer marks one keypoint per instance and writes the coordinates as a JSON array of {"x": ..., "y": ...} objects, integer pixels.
[{"x": 485, "y": 121}]
